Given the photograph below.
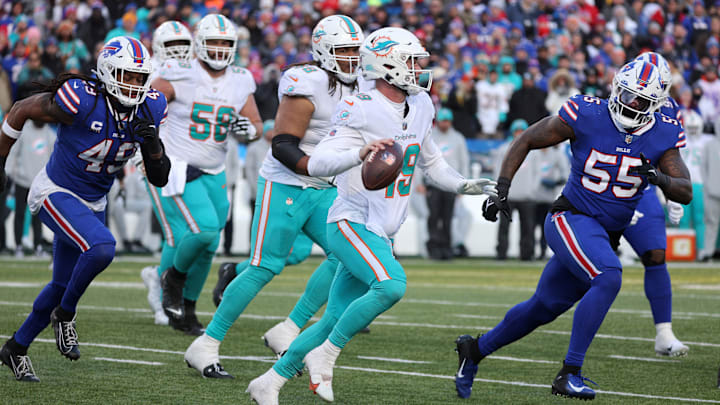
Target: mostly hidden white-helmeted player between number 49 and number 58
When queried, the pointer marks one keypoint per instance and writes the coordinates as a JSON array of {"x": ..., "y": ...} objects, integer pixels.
[{"x": 171, "y": 40}]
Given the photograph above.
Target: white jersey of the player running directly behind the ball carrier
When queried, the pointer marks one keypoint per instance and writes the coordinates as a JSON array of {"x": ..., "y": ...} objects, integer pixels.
[{"x": 311, "y": 82}]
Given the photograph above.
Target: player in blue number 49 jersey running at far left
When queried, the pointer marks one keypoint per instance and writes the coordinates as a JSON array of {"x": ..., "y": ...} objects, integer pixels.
[{"x": 101, "y": 123}]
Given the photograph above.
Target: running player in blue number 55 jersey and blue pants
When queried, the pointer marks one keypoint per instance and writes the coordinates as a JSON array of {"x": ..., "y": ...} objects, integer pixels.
[{"x": 617, "y": 147}]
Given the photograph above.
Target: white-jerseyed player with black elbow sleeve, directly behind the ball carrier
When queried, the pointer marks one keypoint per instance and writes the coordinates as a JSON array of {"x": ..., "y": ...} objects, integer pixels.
[{"x": 288, "y": 199}]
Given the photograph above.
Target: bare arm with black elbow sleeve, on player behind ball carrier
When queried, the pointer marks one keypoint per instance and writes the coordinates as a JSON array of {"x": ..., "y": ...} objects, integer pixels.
[{"x": 291, "y": 122}]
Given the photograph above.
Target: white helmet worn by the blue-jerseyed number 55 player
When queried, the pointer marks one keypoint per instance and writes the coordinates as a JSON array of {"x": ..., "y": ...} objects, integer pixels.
[{"x": 636, "y": 94}]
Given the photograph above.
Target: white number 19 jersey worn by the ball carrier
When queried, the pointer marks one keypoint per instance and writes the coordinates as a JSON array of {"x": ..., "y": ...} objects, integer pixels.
[{"x": 370, "y": 116}]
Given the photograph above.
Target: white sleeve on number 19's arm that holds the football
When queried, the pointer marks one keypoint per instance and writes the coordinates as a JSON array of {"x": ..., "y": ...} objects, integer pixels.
[{"x": 336, "y": 153}]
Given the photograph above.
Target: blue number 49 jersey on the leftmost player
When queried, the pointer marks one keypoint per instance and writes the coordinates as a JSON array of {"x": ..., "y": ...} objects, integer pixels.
[{"x": 91, "y": 151}]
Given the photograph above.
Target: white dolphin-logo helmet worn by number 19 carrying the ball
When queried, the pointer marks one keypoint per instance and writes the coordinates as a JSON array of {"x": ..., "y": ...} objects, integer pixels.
[{"x": 391, "y": 54}]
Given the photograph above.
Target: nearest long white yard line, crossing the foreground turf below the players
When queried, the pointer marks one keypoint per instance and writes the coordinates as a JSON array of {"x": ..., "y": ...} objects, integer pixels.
[{"x": 396, "y": 372}]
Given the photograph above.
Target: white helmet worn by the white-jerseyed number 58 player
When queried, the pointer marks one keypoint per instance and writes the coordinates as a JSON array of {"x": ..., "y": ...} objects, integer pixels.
[{"x": 215, "y": 26}]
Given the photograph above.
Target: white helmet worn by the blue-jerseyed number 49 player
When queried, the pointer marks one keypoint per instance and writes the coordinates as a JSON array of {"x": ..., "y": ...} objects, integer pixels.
[{"x": 118, "y": 56}]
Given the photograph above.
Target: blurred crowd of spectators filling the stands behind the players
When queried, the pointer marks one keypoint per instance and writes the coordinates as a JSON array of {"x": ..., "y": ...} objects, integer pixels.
[{"x": 497, "y": 64}]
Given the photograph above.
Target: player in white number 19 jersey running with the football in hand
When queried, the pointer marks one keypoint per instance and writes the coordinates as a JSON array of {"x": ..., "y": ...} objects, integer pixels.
[{"x": 361, "y": 223}]
